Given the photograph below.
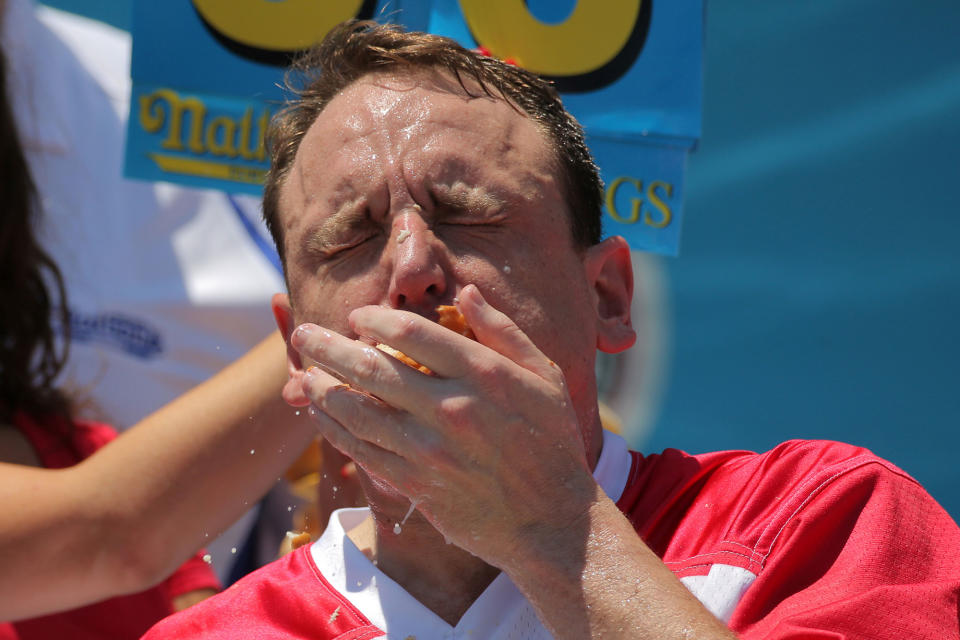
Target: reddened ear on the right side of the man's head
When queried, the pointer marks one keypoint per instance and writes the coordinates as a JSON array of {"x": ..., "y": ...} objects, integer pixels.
[{"x": 610, "y": 272}]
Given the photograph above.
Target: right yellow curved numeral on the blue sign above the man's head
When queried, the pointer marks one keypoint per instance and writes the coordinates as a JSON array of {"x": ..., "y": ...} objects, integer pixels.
[{"x": 593, "y": 34}]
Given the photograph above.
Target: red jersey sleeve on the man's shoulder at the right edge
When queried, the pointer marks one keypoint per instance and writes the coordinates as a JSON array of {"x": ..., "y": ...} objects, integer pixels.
[{"x": 869, "y": 554}]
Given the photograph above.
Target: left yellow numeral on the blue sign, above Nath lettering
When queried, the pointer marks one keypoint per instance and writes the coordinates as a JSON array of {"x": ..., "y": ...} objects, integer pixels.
[{"x": 290, "y": 25}]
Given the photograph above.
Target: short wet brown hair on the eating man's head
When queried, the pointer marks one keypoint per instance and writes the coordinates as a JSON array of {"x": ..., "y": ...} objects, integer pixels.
[{"x": 357, "y": 48}]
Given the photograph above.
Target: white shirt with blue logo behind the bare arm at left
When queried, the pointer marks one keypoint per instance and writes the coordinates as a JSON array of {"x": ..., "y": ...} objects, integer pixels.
[{"x": 165, "y": 284}]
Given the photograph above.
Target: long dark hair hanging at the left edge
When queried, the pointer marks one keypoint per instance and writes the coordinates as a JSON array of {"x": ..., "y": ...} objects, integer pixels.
[{"x": 30, "y": 354}]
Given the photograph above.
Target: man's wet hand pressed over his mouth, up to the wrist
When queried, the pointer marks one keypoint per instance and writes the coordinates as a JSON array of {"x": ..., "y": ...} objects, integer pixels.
[{"x": 489, "y": 449}]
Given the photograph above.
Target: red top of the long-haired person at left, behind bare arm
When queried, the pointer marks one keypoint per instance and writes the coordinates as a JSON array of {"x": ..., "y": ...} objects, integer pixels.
[{"x": 58, "y": 445}]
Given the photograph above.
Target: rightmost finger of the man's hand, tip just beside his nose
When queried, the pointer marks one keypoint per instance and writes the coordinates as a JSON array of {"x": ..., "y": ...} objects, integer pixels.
[{"x": 497, "y": 331}]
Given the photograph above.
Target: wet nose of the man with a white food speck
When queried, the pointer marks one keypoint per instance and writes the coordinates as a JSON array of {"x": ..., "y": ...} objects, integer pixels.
[{"x": 418, "y": 280}]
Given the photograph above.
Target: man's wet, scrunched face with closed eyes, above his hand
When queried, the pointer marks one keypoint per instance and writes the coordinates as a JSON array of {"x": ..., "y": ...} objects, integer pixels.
[{"x": 405, "y": 190}]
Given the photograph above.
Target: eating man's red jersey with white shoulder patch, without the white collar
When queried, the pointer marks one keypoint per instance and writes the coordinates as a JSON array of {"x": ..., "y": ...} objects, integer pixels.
[{"x": 811, "y": 539}]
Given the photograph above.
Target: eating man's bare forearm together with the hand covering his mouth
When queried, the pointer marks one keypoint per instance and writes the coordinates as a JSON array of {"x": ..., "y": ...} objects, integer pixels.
[{"x": 492, "y": 453}]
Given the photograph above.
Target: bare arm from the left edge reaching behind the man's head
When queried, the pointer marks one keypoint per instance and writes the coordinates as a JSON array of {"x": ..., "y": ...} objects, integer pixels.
[{"x": 126, "y": 517}]
